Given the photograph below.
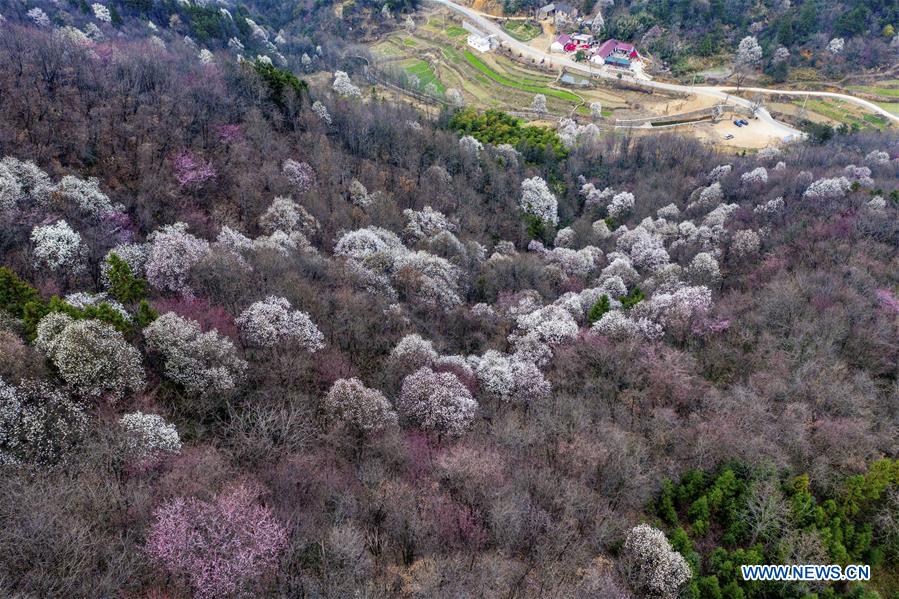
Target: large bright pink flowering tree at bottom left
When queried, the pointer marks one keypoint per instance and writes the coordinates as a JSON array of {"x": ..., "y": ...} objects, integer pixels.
[{"x": 219, "y": 548}]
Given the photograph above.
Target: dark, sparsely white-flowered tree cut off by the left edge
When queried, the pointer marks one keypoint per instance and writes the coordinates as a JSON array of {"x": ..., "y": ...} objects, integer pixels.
[{"x": 38, "y": 424}]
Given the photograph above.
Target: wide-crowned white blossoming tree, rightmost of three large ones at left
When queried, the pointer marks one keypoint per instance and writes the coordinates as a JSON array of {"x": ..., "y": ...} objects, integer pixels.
[{"x": 272, "y": 322}]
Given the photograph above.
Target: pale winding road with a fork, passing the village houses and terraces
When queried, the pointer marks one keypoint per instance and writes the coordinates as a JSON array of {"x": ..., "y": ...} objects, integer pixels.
[{"x": 784, "y": 131}]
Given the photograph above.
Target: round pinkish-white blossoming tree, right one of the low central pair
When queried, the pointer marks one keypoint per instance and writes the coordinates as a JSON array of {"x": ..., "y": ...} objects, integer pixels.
[{"x": 437, "y": 401}]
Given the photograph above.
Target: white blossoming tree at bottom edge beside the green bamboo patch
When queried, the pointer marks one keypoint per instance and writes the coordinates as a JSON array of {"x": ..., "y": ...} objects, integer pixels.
[{"x": 651, "y": 566}]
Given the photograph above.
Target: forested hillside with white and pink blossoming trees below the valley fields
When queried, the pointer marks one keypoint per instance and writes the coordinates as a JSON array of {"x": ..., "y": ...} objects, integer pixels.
[{"x": 268, "y": 337}]
